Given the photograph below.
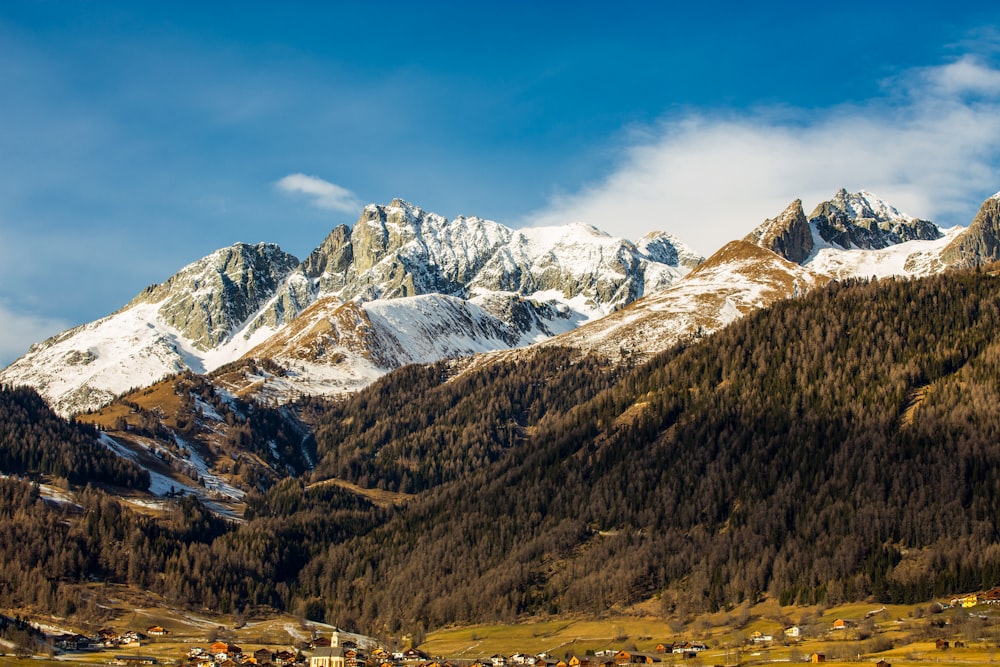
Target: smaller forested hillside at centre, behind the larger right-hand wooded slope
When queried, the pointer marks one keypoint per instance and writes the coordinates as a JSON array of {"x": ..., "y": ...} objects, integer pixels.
[{"x": 415, "y": 429}]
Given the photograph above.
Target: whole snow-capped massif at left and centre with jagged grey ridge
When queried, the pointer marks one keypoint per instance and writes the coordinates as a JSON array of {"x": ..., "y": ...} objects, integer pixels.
[{"x": 401, "y": 286}]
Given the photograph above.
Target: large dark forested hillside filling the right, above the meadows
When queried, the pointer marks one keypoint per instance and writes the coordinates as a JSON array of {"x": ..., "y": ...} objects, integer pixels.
[{"x": 833, "y": 447}]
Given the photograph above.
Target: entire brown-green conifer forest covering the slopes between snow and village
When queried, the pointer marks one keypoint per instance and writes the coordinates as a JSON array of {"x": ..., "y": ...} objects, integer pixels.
[{"x": 838, "y": 446}]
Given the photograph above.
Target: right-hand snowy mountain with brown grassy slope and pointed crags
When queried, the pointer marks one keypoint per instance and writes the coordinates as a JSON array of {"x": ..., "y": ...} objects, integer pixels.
[{"x": 853, "y": 235}]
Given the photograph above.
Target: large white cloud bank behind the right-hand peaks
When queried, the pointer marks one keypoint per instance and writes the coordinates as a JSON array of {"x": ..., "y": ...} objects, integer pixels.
[{"x": 931, "y": 147}]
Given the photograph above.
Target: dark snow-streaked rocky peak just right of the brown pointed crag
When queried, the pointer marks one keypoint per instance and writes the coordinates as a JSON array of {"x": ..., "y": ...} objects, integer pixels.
[{"x": 862, "y": 220}]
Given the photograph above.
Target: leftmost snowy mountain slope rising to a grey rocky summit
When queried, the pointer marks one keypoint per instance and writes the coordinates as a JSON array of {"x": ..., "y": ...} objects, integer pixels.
[{"x": 189, "y": 322}]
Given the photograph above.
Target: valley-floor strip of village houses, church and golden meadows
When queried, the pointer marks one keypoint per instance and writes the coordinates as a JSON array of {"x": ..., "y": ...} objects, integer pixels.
[{"x": 850, "y": 633}]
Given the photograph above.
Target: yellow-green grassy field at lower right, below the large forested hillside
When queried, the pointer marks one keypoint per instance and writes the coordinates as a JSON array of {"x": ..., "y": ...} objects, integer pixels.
[{"x": 899, "y": 634}]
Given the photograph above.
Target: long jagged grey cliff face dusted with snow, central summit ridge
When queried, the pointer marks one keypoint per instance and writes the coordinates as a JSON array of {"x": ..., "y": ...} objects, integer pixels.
[{"x": 399, "y": 250}]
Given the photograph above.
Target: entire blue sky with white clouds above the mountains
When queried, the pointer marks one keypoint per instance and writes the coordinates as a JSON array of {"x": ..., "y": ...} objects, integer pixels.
[{"x": 139, "y": 136}]
